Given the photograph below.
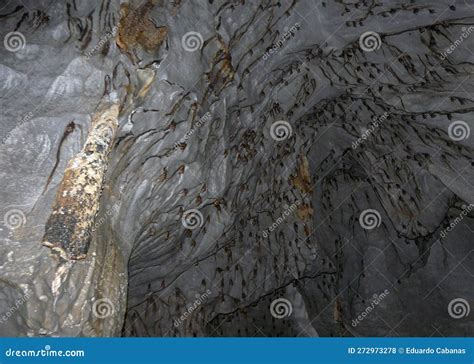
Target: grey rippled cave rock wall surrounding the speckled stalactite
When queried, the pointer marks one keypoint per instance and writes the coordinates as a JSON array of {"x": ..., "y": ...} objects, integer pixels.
[{"x": 289, "y": 168}]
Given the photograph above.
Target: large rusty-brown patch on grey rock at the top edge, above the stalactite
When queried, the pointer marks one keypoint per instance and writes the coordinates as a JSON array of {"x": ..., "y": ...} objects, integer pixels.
[{"x": 137, "y": 30}]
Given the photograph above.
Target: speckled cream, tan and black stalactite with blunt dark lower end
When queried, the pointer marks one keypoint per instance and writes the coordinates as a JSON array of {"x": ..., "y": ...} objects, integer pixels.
[{"x": 68, "y": 229}]
